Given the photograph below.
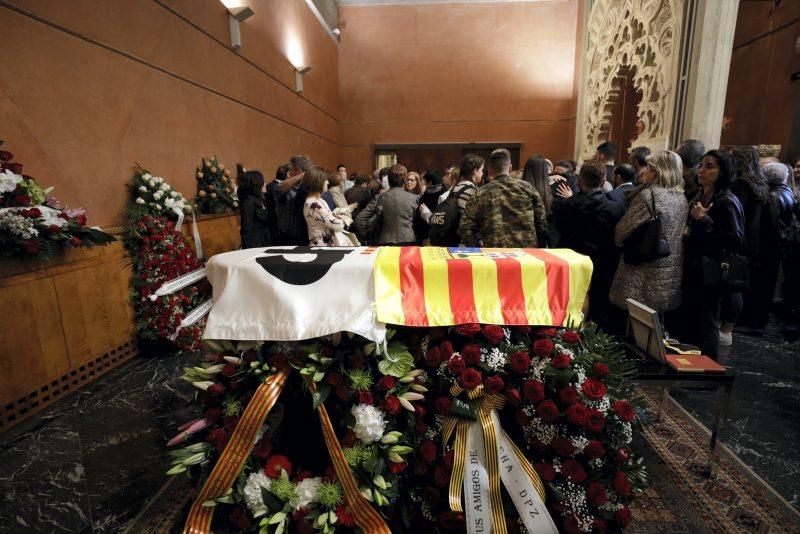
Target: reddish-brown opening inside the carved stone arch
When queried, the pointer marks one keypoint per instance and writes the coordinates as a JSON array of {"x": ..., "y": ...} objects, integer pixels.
[{"x": 623, "y": 104}]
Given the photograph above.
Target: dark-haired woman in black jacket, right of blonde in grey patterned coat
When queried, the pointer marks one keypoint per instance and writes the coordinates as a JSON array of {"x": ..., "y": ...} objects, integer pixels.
[{"x": 716, "y": 231}]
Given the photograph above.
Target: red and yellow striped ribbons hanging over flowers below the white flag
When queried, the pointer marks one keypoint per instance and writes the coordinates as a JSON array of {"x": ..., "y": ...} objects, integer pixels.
[{"x": 241, "y": 443}]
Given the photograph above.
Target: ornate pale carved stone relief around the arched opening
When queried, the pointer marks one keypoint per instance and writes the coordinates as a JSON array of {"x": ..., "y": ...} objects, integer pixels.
[{"x": 642, "y": 36}]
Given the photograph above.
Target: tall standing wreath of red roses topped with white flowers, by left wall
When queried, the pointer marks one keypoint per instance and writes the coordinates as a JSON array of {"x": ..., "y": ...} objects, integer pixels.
[{"x": 160, "y": 254}]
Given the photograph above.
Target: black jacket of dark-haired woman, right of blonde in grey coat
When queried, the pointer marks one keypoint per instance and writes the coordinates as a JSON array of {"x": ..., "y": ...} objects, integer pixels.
[{"x": 720, "y": 232}]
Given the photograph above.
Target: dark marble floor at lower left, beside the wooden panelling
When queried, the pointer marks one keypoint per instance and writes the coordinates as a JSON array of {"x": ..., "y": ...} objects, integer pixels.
[{"x": 90, "y": 462}]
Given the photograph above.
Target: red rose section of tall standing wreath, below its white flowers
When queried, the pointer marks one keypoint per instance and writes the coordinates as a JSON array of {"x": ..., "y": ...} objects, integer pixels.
[{"x": 159, "y": 254}]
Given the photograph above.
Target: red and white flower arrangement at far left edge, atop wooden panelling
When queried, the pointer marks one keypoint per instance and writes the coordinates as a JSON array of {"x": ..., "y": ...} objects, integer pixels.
[{"x": 32, "y": 223}]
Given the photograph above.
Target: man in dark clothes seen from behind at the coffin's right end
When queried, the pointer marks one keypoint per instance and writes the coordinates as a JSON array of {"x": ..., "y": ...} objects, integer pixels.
[{"x": 585, "y": 222}]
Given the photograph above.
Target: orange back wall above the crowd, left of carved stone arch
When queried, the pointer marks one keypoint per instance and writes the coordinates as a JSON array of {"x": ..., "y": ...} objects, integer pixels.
[{"x": 458, "y": 73}]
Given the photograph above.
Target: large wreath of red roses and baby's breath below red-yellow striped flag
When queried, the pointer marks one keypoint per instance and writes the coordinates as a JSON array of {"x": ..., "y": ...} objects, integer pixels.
[{"x": 567, "y": 400}]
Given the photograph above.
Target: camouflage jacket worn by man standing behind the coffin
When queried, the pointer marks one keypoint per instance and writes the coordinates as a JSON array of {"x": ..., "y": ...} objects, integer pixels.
[{"x": 505, "y": 213}]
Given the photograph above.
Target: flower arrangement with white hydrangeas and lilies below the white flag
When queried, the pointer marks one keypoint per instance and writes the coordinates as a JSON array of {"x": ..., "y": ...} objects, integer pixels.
[{"x": 372, "y": 400}]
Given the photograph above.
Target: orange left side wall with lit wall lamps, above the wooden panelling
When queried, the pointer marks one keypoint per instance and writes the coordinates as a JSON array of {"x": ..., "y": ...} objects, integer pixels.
[{"x": 96, "y": 85}]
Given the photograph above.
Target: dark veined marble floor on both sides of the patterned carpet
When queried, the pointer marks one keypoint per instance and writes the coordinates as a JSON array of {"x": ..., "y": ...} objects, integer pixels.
[{"x": 90, "y": 463}]
